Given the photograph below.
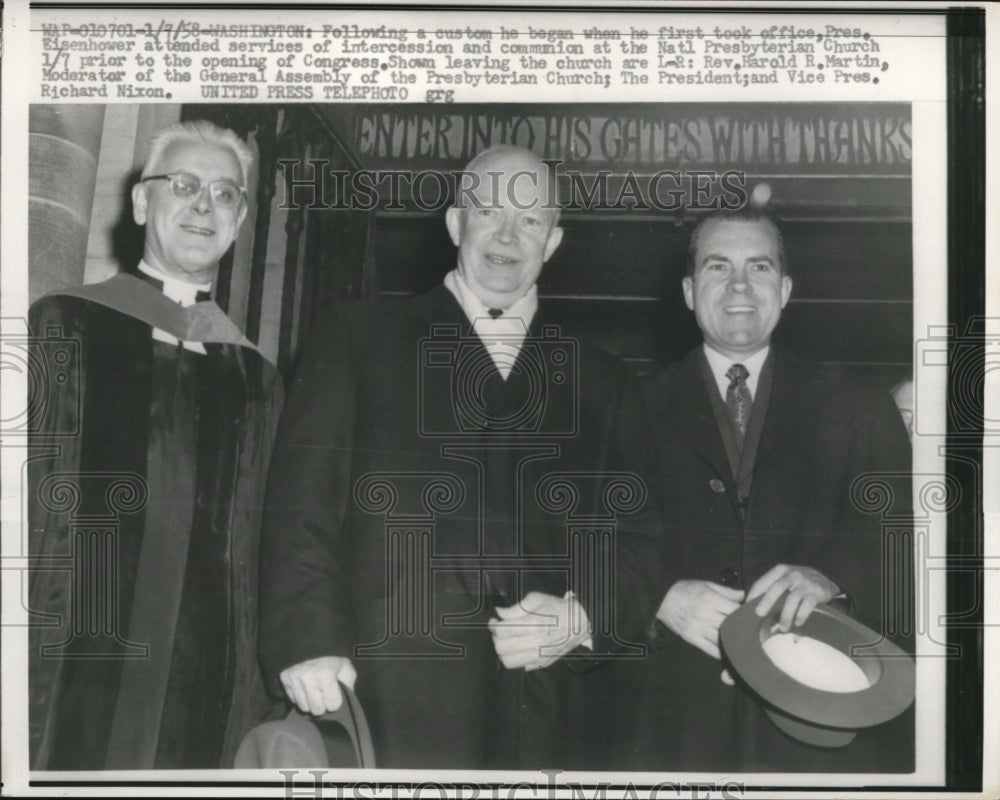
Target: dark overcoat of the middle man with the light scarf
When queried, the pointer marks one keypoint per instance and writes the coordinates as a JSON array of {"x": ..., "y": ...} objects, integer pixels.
[{"x": 402, "y": 461}]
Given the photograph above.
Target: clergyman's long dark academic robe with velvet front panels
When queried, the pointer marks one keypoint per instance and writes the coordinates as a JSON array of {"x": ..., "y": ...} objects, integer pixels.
[{"x": 146, "y": 487}]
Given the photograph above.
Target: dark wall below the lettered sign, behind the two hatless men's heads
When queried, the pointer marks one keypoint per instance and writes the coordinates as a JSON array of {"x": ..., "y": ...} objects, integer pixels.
[{"x": 619, "y": 283}]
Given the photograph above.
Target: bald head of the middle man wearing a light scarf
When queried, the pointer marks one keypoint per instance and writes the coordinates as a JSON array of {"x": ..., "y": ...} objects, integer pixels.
[{"x": 504, "y": 223}]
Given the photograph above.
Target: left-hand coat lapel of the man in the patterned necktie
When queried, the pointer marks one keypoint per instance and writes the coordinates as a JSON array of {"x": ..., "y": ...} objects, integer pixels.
[{"x": 683, "y": 401}]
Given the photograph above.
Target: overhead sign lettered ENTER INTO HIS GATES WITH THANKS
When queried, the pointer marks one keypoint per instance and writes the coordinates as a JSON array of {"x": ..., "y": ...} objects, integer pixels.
[{"x": 803, "y": 139}]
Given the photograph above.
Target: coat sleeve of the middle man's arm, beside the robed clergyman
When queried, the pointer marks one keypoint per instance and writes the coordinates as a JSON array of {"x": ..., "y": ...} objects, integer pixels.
[{"x": 305, "y": 573}]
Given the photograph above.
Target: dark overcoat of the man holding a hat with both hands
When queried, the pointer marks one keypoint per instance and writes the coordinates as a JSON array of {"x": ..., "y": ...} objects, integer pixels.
[{"x": 819, "y": 433}]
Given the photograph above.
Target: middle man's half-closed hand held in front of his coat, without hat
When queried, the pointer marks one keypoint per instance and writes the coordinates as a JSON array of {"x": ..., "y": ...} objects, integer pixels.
[{"x": 539, "y": 630}]
